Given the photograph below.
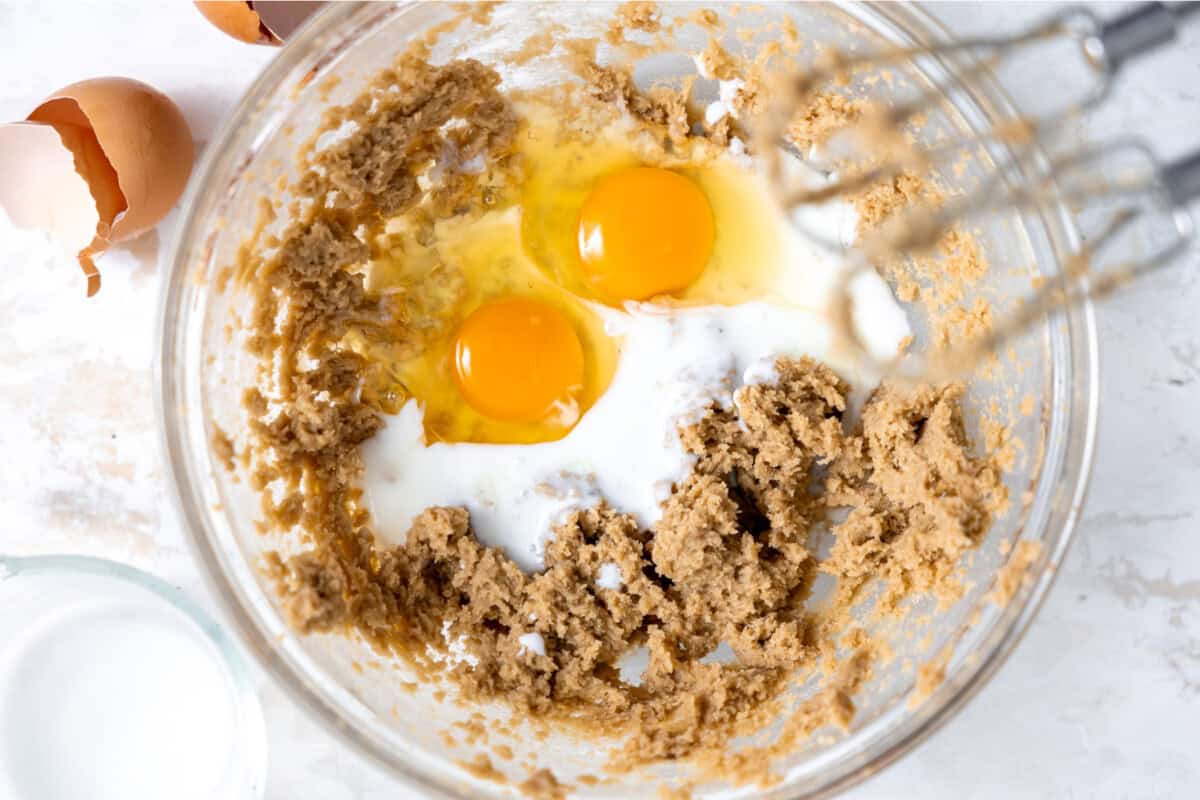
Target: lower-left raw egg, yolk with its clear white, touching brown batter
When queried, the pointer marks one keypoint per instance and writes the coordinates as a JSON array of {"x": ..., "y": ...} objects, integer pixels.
[{"x": 509, "y": 356}]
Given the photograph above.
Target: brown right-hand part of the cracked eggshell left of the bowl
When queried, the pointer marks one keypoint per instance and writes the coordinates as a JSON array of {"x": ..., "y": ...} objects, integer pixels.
[{"x": 141, "y": 135}]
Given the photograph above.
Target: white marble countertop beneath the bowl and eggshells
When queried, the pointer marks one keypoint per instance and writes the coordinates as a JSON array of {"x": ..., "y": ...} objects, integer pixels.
[{"x": 1102, "y": 700}]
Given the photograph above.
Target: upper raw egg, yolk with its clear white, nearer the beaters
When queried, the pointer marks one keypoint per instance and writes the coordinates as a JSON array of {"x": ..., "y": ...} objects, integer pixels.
[{"x": 610, "y": 226}]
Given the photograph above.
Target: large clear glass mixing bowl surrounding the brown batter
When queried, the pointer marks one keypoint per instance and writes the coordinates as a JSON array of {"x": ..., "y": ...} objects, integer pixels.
[{"x": 371, "y": 706}]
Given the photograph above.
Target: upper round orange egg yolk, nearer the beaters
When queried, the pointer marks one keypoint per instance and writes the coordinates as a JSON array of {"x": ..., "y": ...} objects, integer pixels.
[{"x": 645, "y": 232}]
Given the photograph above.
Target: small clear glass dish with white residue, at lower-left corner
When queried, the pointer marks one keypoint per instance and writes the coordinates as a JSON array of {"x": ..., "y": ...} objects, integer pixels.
[{"x": 116, "y": 687}]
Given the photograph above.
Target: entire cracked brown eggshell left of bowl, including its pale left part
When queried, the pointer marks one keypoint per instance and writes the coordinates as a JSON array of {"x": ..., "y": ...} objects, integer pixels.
[{"x": 128, "y": 143}]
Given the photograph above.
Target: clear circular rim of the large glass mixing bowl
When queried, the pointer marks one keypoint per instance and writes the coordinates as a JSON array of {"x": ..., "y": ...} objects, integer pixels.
[{"x": 185, "y": 448}]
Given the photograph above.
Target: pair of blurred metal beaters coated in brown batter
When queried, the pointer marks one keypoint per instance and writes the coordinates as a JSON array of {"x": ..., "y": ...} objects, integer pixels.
[{"x": 1125, "y": 177}]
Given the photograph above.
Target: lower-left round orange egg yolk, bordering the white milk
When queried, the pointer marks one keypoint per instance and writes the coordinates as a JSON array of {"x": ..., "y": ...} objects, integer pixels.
[{"x": 520, "y": 360}]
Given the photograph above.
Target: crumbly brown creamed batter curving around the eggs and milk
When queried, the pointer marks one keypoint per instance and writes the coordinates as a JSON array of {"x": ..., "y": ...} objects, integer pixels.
[{"x": 733, "y": 560}]
